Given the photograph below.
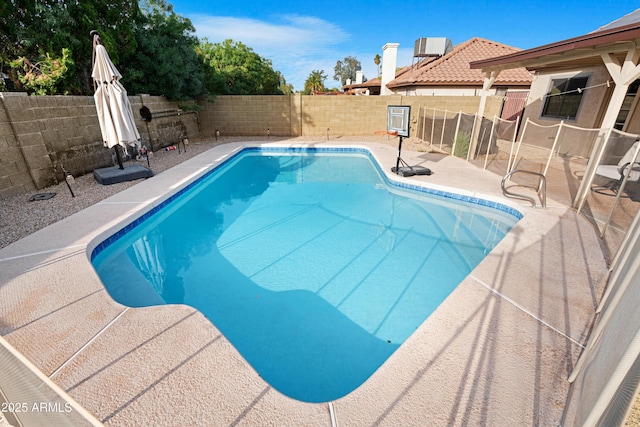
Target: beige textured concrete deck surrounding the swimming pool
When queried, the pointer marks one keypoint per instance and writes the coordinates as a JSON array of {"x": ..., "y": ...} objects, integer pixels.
[{"x": 498, "y": 351}]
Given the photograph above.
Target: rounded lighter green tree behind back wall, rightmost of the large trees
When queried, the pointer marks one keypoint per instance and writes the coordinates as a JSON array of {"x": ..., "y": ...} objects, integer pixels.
[{"x": 235, "y": 69}]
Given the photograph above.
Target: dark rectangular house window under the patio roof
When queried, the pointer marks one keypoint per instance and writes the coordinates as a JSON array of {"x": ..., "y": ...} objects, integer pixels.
[{"x": 563, "y": 100}]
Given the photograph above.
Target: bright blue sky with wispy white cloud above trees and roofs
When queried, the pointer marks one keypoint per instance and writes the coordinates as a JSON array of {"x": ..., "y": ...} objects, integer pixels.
[{"x": 300, "y": 36}]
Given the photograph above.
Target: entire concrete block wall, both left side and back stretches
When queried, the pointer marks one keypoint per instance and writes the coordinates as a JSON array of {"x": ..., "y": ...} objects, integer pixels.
[{"x": 39, "y": 135}]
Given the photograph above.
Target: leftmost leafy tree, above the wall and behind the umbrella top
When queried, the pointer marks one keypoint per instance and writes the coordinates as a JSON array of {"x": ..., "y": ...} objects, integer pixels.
[{"x": 33, "y": 30}]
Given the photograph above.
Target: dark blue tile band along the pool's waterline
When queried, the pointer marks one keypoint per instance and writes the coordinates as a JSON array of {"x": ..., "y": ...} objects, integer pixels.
[{"x": 351, "y": 150}]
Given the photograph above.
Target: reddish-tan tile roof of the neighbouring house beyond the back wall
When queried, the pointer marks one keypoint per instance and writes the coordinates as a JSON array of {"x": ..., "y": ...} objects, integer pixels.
[{"x": 453, "y": 68}]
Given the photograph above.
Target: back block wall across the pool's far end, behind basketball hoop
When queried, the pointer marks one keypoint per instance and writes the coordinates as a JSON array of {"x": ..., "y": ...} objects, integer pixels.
[{"x": 306, "y": 115}]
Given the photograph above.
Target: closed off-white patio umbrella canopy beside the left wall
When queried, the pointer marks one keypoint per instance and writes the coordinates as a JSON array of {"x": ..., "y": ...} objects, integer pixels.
[{"x": 115, "y": 115}]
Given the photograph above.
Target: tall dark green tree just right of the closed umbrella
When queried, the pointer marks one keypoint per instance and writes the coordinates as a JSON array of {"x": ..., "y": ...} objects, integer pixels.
[{"x": 165, "y": 61}]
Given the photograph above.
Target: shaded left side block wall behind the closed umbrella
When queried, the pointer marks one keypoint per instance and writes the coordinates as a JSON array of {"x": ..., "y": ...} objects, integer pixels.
[{"x": 41, "y": 135}]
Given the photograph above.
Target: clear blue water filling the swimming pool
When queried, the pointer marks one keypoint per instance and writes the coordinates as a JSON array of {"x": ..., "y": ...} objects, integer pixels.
[{"x": 312, "y": 264}]
